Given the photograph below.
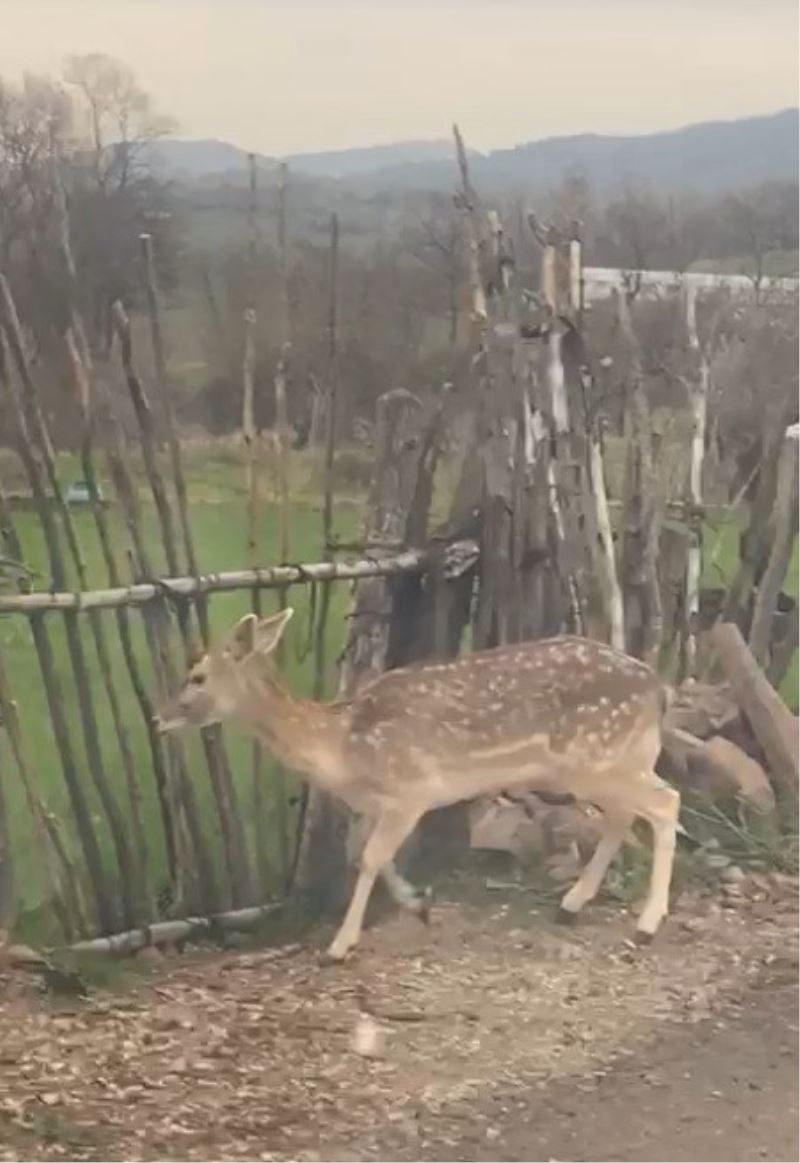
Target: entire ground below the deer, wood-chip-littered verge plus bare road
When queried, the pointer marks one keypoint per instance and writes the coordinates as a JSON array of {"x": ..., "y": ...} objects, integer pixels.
[{"x": 494, "y": 1034}]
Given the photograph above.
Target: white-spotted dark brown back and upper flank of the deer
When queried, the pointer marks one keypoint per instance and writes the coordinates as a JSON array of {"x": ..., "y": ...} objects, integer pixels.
[{"x": 560, "y": 695}]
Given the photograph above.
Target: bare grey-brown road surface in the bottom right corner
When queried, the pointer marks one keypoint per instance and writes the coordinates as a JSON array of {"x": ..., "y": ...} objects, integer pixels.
[{"x": 722, "y": 1090}]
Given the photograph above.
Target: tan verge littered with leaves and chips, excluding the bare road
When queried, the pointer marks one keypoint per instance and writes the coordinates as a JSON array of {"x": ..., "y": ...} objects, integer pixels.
[{"x": 261, "y": 1055}]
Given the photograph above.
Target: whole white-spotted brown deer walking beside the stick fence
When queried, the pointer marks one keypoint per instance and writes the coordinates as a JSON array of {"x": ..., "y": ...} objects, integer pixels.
[{"x": 560, "y": 716}]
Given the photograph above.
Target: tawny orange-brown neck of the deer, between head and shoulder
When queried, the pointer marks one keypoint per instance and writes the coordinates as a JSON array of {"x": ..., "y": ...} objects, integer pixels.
[{"x": 302, "y": 734}]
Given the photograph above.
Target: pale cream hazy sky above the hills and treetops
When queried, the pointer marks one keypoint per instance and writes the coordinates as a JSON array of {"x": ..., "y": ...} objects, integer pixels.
[{"x": 283, "y": 77}]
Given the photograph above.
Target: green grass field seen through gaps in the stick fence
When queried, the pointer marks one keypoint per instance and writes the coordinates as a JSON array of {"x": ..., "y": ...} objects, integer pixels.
[{"x": 219, "y": 517}]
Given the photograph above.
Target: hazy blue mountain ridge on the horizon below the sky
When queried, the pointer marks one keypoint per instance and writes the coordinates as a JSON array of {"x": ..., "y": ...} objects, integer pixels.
[{"x": 710, "y": 158}]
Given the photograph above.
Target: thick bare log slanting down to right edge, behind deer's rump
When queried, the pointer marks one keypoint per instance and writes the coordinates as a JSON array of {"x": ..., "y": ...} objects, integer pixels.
[{"x": 775, "y": 726}]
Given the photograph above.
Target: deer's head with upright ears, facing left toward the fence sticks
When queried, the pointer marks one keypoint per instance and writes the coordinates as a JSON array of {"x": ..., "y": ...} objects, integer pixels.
[{"x": 216, "y": 684}]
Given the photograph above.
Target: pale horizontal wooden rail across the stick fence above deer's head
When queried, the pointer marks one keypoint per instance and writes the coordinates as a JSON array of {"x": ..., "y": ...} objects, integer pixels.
[{"x": 267, "y": 579}]
